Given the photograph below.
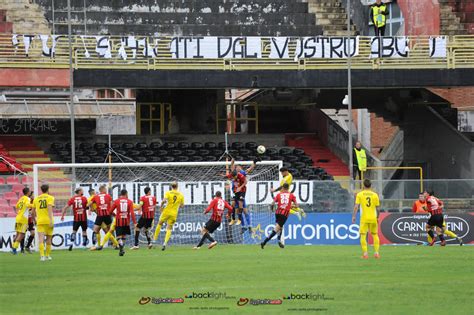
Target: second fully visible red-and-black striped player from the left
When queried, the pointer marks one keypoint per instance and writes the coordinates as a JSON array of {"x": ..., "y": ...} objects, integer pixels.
[{"x": 103, "y": 202}]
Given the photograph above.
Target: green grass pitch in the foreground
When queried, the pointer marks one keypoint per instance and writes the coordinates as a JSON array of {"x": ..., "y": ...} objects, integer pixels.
[{"x": 407, "y": 280}]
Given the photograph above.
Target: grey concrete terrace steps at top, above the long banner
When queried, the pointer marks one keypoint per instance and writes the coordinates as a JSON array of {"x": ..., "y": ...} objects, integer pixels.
[{"x": 195, "y": 17}]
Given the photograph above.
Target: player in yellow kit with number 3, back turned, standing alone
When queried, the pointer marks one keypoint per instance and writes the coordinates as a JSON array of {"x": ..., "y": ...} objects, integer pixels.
[{"x": 368, "y": 201}]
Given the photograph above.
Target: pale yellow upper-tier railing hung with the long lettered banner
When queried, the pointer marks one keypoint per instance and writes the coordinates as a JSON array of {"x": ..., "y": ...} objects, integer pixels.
[{"x": 459, "y": 54}]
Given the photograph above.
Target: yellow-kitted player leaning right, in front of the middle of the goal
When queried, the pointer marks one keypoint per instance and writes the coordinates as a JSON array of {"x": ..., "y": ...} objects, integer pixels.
[{"x": 169, "y": 213}]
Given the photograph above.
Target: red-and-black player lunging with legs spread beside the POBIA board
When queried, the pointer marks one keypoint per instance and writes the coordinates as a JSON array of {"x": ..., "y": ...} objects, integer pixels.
[{"x": 217, "y": 206}]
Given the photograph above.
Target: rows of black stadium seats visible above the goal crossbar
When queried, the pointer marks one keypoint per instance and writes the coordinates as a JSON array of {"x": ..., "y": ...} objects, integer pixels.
[{"x": 295, "y": 159}]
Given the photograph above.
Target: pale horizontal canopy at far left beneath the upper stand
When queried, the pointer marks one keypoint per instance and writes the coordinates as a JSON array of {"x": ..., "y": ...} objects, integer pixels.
[{"x": 59, "y": 108}]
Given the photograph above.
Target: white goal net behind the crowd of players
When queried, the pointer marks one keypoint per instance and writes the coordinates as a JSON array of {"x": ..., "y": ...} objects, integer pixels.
[{"x": 198, "y": 182}]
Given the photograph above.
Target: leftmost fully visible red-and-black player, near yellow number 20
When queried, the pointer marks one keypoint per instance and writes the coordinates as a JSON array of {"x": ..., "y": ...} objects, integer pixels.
[{"x": 79, "y": 206}]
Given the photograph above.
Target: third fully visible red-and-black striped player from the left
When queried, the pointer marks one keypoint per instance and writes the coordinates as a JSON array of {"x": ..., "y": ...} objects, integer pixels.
[{"x": 123, "y": 208}]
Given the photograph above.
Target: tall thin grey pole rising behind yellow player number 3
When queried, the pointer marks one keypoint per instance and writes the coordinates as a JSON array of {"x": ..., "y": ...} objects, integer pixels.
[{"x": 349, "y": 92}]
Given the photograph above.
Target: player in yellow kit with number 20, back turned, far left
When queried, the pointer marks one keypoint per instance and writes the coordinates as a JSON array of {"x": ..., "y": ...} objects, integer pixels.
[{"x": 43, "y": 212}]
